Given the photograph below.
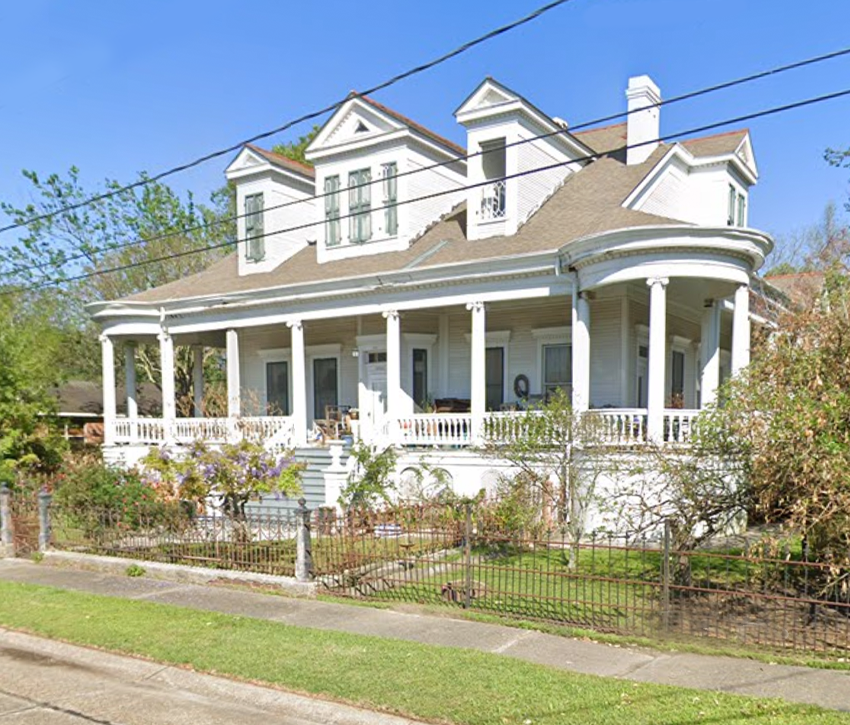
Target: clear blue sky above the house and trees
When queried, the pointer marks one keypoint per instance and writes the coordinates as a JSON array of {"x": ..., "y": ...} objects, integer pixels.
[{"x": 116, "y": 88}]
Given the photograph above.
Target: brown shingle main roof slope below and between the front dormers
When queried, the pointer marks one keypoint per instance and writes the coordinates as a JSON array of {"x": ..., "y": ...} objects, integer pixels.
[{"x": 589, "y": 202}]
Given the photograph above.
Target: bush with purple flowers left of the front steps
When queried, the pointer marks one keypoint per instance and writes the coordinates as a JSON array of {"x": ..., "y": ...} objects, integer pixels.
[{"x": 235, "y": 474}]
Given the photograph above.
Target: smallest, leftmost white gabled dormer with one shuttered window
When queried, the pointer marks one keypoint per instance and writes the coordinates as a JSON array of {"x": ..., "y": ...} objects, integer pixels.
[{"x": 274, "y": 200}]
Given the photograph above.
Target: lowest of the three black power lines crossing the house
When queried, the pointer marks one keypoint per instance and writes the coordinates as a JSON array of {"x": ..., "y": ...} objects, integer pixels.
[{"x": 667, "y": 137}]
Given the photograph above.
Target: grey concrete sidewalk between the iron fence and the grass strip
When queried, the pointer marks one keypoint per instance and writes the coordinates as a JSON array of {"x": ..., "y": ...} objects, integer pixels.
[{"x": 826, "y": 688}]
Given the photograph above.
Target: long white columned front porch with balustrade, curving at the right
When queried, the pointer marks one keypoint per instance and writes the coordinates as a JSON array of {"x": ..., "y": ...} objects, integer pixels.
[{"x": 450, "y": 376}]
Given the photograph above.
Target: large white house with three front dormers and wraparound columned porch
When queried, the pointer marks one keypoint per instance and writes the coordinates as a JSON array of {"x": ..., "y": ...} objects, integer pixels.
[{"x": 399, "y": 292}]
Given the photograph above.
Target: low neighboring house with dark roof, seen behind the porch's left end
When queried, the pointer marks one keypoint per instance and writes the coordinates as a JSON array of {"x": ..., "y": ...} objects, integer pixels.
[{"x": 80, "y": 408}]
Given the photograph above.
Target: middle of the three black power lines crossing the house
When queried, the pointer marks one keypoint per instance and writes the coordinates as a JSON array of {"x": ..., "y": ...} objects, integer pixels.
[{"x": 675, "y": 99}]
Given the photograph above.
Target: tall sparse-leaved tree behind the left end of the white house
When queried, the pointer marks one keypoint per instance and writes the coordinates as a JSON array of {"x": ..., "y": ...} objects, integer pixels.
[{"x": 127, "y": 231}]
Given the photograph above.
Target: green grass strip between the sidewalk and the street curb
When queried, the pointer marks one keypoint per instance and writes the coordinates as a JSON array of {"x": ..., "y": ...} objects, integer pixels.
[{"x": 433, "y": 683}]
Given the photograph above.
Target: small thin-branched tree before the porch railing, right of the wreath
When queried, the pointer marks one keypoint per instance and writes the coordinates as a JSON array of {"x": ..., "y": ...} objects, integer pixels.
[{"x": 553, "y": 467}]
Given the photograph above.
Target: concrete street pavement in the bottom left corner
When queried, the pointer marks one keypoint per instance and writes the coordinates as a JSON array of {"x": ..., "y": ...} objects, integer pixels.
[{"x": 43, "y": 682}]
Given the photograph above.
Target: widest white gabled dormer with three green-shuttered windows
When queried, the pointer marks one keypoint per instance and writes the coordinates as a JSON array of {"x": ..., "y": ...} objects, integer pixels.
[{"x": 365, "y": 157}]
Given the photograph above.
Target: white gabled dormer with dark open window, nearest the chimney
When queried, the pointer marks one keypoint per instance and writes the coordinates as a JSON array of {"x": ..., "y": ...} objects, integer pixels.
[{"x": 500, "y": 125}]
